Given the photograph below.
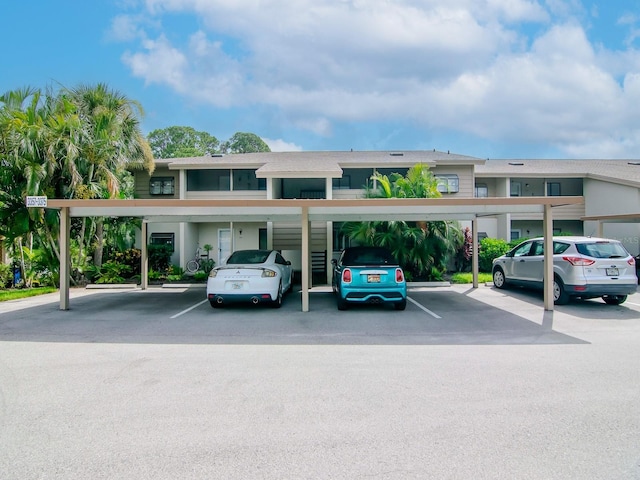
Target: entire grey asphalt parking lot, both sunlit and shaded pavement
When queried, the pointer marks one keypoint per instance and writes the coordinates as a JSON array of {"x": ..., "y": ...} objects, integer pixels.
[{"x": 465, "y": 383}]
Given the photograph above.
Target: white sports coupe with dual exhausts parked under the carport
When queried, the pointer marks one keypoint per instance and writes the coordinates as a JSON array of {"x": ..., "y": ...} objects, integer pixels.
[{"x": 255, "y": 276}]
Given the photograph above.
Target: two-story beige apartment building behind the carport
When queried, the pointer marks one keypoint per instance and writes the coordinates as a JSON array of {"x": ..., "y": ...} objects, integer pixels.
[{"x": 609, "y": 187}]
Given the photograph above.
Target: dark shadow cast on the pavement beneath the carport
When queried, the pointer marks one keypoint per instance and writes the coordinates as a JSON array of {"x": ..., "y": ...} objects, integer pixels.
[{"x": 157, "y": 316}]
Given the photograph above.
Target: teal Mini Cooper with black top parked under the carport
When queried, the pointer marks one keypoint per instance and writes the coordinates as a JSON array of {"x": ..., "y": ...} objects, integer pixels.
[{"x": 368, "y": 275}]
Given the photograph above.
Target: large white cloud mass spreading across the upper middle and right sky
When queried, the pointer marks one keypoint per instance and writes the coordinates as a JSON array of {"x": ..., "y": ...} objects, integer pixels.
[{"x": 463, "y": 65}]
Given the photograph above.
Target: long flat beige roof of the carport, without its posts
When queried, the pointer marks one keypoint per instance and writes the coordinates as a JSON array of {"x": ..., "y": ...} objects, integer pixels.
[{"x": 157, "y": 210}]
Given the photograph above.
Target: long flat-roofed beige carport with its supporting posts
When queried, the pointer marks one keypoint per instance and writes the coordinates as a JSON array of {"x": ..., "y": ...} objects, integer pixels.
[{"x": 304, "y": 212}]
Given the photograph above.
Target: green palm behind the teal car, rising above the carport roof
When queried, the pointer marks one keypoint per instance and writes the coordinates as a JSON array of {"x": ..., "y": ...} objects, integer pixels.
[{"x": 423, "y": 249}]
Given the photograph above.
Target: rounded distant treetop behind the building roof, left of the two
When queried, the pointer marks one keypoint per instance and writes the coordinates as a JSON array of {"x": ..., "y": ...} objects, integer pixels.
[{"x": 175, "y": 142}]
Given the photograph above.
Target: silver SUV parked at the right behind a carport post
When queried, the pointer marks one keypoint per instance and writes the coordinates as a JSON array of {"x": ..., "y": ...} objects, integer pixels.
[{"x": 583, "y": 267}]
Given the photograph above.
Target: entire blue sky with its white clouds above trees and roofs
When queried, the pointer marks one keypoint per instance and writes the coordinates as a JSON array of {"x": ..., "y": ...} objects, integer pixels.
[{"x": 486, "y": 78}]
